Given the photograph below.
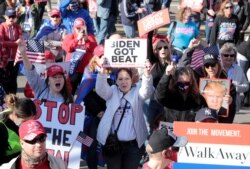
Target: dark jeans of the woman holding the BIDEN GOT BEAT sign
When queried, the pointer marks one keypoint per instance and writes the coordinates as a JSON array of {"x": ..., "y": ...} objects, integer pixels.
[{"x": 128, "y": 158}]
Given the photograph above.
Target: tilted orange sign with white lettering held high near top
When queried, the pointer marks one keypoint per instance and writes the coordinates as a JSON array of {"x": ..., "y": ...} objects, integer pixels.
[{"x": 153, "y": 21}]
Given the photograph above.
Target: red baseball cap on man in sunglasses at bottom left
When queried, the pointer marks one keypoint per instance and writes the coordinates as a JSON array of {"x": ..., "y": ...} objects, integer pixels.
[{"x": 31, "y": 129}]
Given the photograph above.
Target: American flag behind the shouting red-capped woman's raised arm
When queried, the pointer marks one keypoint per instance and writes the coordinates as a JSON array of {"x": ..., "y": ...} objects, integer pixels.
[{"x": 35, "y": 52}]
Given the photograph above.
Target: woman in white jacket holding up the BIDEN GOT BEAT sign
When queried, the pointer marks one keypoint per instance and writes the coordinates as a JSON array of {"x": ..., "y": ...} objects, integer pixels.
[{"x": 128, "y": 97}]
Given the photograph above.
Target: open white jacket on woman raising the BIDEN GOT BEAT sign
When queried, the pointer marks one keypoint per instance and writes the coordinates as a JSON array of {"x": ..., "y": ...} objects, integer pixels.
[{"x": 136, "y": 97}]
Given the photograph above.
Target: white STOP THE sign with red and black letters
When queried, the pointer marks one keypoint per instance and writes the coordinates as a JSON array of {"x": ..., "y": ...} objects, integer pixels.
[{"x": 62, "y": 122}]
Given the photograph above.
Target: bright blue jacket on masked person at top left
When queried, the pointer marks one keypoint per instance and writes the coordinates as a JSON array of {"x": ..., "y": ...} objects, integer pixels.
[{"x": 69, "y": 17}]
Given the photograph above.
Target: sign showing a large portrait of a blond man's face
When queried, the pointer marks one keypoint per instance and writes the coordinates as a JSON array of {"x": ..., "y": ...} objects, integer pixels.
[{"x": 214, "y": 91}]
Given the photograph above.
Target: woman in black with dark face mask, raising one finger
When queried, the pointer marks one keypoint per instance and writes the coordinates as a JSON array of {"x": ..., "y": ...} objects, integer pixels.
[{"x": 178, "y": 92}]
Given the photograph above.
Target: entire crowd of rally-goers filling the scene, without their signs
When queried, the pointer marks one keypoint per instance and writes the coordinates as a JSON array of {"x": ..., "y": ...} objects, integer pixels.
[{"x": 127, "y": 103}]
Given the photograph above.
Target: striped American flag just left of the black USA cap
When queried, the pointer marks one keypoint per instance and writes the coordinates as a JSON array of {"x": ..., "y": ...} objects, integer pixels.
[{"x": 197, "y": 58}]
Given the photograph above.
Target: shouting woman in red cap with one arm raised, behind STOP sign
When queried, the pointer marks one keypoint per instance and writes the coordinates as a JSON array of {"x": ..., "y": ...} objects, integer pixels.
[{"x": 53, "y": 88}]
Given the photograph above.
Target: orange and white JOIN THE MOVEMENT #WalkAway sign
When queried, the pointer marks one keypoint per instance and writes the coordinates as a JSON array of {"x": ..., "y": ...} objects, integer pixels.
[{"x": 214, "y": 143}]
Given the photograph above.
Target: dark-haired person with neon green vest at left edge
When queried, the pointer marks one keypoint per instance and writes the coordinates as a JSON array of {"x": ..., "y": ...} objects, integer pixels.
[{"x": 17, "y": 110}]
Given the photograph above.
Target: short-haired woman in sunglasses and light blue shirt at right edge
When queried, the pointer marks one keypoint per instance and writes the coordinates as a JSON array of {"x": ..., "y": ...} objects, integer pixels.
[{"x": 234, "y": 72}]
